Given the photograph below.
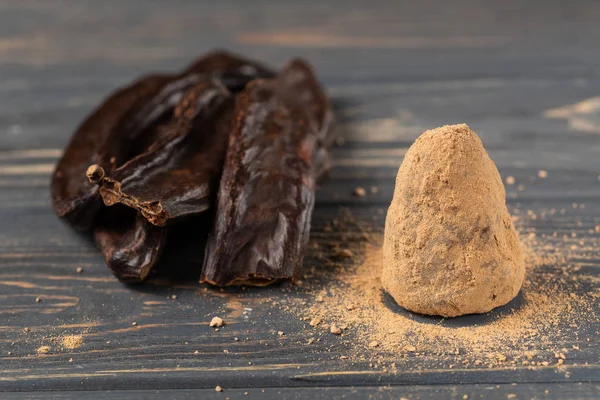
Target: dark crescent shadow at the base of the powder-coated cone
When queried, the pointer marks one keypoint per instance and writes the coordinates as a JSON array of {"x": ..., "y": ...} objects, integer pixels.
[{"x": 457, "y": 322}]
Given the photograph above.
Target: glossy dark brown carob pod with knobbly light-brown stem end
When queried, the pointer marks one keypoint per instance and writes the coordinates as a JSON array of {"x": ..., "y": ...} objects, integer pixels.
[{"x": 177, "y": 177}]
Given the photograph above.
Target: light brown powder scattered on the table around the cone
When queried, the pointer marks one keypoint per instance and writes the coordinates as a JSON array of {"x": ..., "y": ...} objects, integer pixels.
[{"x": 528, "y": 332}]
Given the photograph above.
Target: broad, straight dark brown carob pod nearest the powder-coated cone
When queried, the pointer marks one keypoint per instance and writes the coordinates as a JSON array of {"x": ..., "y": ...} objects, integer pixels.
[{"x": 266, "y": 193}]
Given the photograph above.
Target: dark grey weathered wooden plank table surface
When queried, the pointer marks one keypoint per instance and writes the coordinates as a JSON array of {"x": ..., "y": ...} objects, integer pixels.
[{"x": 393, "y": 69}]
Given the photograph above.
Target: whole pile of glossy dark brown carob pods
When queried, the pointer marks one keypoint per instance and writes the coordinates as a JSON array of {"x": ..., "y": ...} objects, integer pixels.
[{"x": 228, "y": 147}]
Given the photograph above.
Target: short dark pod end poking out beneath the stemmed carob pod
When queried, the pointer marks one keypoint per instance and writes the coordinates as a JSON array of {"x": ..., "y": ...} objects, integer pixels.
[{"x": 130, "y": 244}]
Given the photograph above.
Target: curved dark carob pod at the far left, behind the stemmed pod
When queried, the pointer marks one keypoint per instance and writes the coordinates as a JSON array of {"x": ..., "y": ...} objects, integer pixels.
[{"x": 107, "y": 136}]
